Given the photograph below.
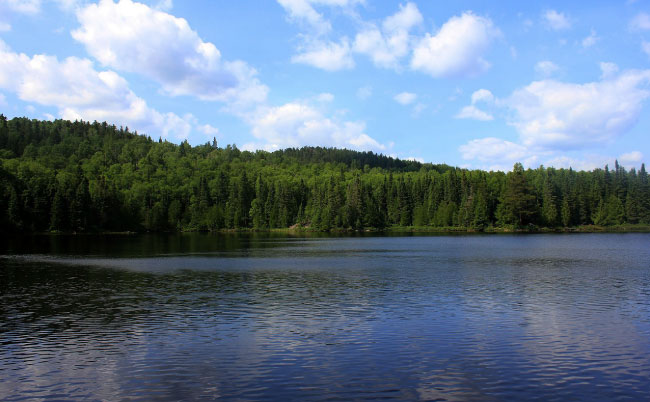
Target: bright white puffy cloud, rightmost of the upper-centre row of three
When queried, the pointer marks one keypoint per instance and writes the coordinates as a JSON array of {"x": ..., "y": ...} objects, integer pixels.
[{"x": 457, "y": 49}]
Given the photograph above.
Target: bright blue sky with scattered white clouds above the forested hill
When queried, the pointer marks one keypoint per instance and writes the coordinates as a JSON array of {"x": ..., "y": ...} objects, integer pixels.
[{"x": 472, "y": 84}]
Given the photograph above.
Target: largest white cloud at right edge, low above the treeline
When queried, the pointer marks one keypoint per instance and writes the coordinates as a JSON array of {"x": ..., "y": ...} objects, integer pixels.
[{"x": 554, "y": 119}]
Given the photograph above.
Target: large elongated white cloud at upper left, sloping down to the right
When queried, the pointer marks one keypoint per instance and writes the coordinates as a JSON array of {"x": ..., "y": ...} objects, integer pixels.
[{"x": 133, "y": 37}]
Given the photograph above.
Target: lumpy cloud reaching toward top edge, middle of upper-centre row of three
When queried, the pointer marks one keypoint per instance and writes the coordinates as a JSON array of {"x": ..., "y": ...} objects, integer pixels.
[{"x": 387, "y": 46}]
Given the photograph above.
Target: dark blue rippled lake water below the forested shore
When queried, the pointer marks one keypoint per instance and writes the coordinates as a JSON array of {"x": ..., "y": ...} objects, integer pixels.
[{"x": 200, "y": 317}]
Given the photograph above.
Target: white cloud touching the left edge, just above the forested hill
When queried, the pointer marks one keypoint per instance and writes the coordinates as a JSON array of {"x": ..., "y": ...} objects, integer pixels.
[{"x": 80, "y": 92}]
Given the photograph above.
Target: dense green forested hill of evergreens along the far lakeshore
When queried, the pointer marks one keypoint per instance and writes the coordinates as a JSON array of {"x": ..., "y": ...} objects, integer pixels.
[{"x": 79, "y": 176}]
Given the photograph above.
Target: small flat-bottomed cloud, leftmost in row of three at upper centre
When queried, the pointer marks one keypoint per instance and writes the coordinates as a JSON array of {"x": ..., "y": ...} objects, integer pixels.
[{"x": 328, "y": 56}]
